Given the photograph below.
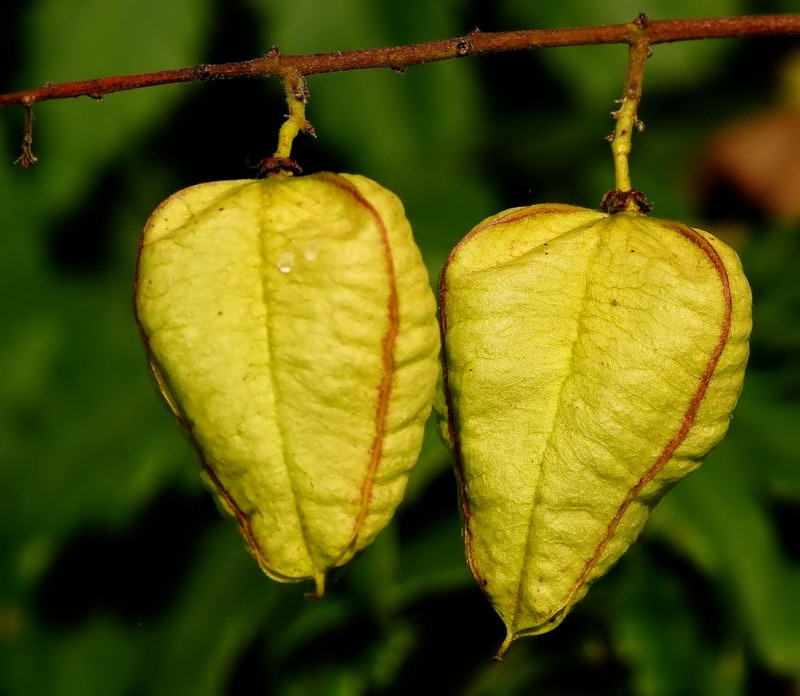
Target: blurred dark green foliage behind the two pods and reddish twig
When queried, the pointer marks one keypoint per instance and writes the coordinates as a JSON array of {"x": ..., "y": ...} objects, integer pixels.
[{"x": 117, "y": 574}]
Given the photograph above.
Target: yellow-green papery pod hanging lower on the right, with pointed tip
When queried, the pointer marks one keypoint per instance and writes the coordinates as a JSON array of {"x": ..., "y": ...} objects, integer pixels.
[{"x": 590, "y": 361}]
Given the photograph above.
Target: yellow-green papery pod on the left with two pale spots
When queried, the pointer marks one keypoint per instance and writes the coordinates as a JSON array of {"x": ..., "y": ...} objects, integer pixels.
[{"x": 291, "y": 328}]
